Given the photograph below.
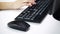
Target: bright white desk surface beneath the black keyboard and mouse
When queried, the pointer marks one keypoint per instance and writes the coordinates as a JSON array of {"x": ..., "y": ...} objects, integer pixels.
[{"x": 48, "y": 26}]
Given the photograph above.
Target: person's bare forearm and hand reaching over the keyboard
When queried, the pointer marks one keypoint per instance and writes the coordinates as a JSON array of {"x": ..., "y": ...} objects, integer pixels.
[{"x": 17, "y": 4}]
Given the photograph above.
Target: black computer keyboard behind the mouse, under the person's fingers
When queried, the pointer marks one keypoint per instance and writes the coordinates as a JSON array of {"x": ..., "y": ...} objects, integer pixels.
[{"x": 37, "y": 12}]
